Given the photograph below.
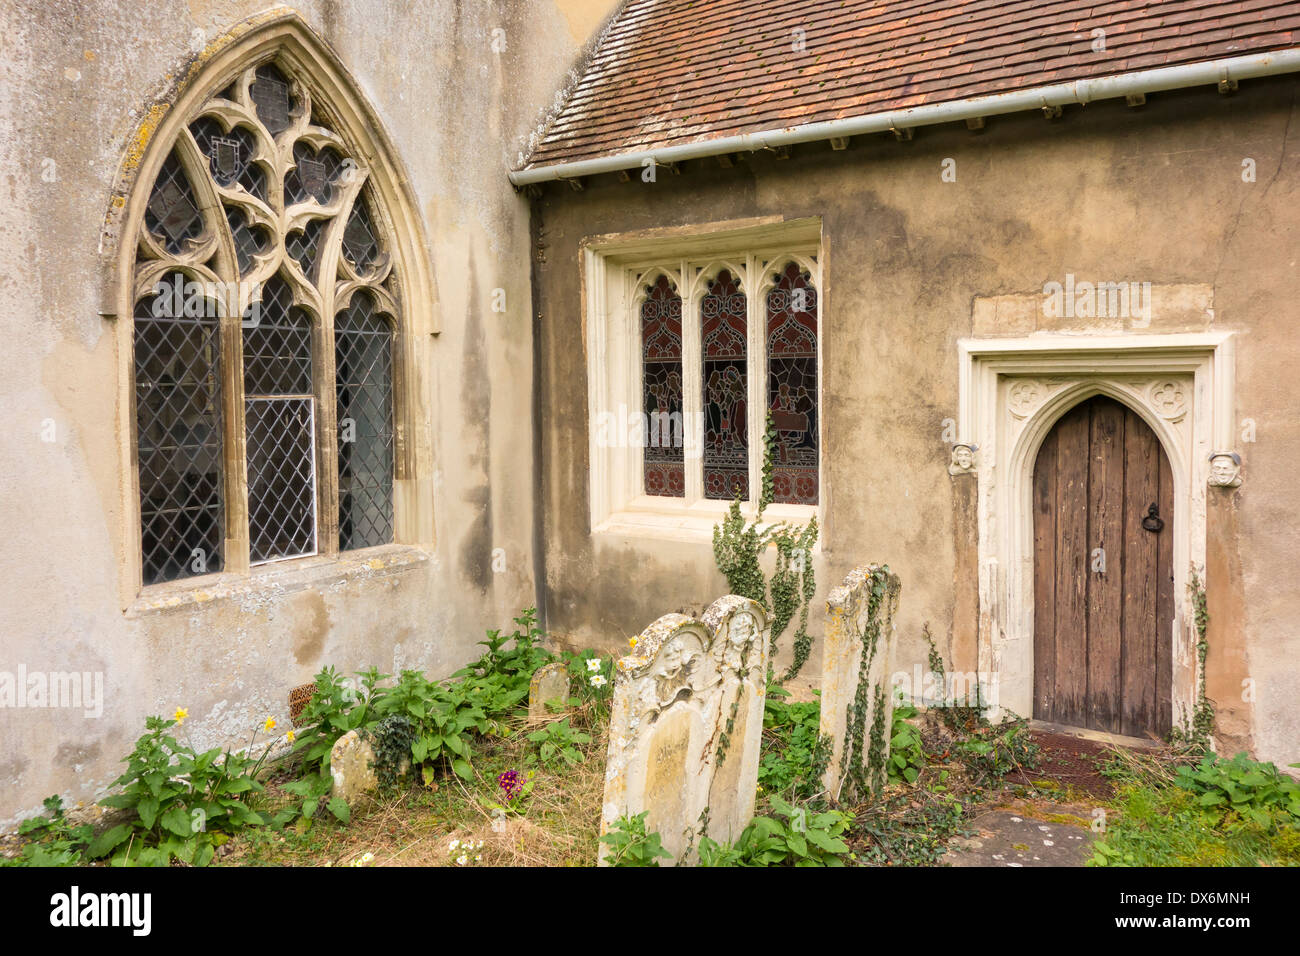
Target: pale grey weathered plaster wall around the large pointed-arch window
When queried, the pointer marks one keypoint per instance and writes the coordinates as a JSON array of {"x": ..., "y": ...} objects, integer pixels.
[{"x": 76, "y": 80}]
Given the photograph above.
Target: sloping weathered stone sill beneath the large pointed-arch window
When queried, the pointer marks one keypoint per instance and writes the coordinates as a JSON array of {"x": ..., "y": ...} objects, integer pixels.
[{"x": 279, "y": 578}]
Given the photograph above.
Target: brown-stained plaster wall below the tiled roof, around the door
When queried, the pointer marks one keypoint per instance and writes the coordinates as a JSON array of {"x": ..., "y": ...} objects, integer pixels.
[{"x": 1108, "y": 193}]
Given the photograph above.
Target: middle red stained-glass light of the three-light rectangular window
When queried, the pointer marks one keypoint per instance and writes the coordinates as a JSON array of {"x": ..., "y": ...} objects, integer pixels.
[{"x": 726, "y": 377}]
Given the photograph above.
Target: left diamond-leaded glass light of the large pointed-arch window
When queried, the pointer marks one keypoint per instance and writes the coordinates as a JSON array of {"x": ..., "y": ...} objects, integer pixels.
[{"x": 179, "y": 436}]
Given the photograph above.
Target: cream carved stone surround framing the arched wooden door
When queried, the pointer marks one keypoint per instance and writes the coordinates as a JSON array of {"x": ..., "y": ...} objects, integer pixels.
[{"x": 1009, "y": 427}]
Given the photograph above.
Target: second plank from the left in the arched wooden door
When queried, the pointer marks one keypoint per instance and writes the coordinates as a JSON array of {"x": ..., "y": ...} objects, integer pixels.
[{"x": 1072, "y": 568}]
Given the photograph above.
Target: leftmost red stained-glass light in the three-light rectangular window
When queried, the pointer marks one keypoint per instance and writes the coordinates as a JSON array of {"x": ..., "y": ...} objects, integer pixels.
[{"x": 661, "y": 364}]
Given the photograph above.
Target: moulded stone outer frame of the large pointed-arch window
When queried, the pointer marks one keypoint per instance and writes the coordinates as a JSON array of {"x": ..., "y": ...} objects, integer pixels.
[{"x": 280, "y": 36}]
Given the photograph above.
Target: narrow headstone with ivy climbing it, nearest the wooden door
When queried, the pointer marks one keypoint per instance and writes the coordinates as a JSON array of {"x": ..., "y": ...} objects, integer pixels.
[{"x": 857, "y": 699}]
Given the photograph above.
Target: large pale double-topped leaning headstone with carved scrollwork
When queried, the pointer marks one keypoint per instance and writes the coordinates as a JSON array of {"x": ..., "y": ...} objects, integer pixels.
[{"x": 687, "y": 724}]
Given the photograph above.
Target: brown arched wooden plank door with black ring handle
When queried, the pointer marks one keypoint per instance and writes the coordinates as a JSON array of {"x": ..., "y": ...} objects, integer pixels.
[{"x": 1103, "y": 574}]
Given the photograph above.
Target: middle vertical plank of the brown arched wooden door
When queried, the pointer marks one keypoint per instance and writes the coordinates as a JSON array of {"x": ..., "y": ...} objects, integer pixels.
[{"x": 1106, "y": 563}]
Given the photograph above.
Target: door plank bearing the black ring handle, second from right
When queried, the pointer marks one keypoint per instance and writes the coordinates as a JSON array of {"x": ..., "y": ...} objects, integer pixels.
[{"x": 1142, "y": 490}]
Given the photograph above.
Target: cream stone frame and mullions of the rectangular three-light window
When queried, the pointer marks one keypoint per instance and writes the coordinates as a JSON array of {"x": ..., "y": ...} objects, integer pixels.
[{"x": 690, "y": 257}]
